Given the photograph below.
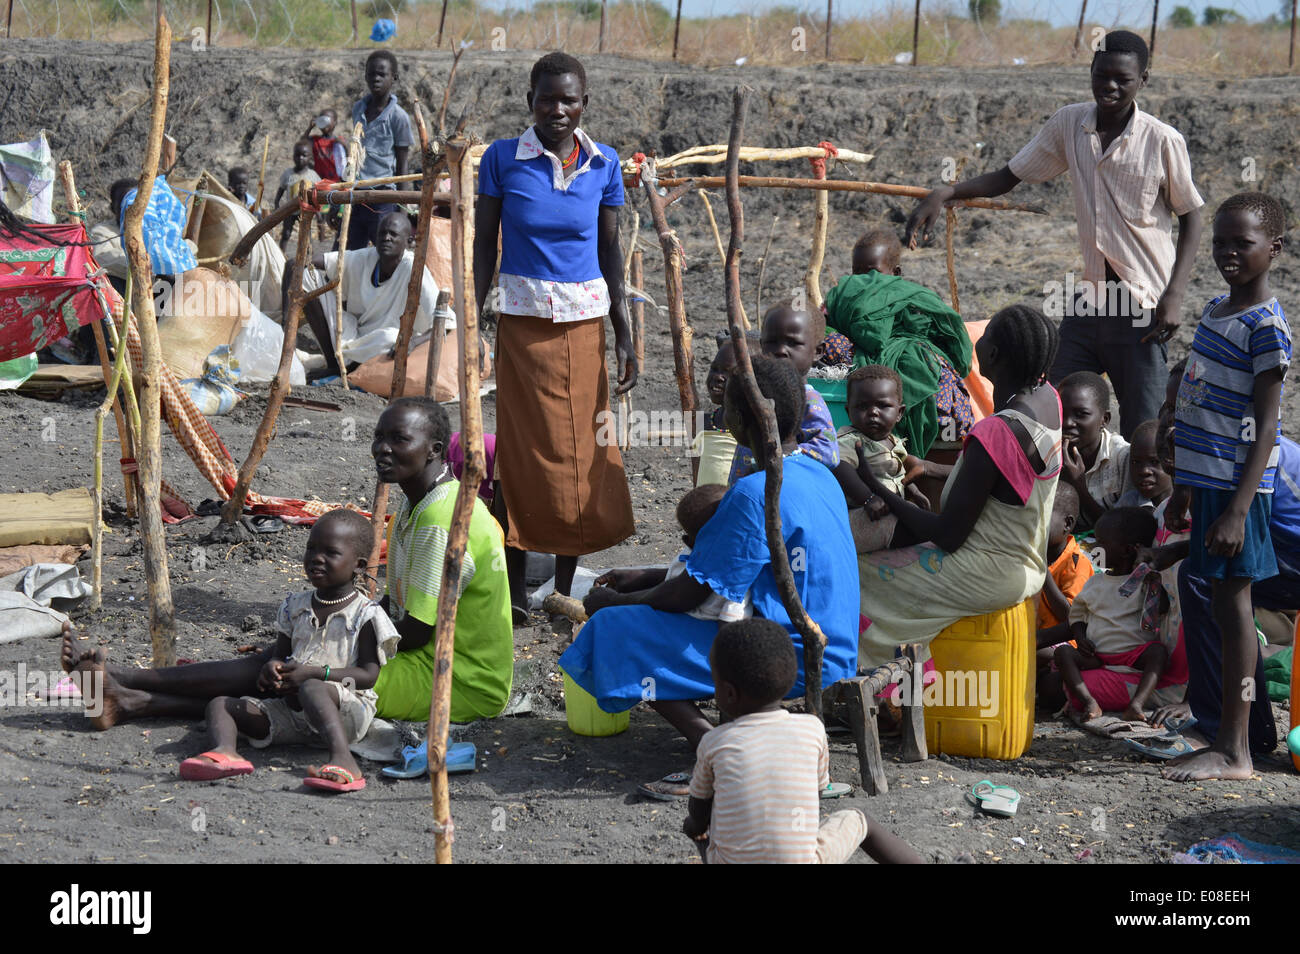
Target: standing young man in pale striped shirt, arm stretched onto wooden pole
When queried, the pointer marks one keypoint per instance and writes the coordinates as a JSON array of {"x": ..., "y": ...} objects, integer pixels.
[{"x": 1132, "y": 176}]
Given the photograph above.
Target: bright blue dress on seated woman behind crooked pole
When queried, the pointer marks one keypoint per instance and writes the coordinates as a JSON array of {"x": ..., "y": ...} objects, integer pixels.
[{"x": 630, "y": 654}]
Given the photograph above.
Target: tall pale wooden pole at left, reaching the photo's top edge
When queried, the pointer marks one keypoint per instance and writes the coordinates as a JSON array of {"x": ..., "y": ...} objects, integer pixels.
[{"x": 162, "y": 610}]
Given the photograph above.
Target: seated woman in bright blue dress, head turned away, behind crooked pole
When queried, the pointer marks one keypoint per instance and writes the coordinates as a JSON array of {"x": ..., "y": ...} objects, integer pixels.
[{"x": 644, "y": 648}]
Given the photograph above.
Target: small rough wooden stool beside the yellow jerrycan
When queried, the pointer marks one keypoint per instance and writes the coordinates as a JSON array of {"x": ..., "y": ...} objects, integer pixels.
[{"x": 855, "y": 701}]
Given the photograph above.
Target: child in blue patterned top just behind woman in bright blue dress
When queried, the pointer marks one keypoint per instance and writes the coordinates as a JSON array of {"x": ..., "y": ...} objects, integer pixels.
[{"x": 796, "y": 337}]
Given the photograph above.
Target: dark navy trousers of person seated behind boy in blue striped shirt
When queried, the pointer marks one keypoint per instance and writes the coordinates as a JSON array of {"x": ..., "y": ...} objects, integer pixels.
[{"x": 1203, "y": 640}]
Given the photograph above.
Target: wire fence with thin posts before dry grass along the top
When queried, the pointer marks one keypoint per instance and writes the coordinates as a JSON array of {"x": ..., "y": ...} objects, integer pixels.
[{"x": 1246, "y": 36}]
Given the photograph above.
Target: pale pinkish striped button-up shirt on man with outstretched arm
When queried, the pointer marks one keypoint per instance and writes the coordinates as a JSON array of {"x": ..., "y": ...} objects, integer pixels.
[{"x": 1125, "y": 198}]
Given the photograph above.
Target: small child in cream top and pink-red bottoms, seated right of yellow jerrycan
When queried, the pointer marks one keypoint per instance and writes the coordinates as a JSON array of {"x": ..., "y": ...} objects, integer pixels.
[{"x": 1124, "y": 632}]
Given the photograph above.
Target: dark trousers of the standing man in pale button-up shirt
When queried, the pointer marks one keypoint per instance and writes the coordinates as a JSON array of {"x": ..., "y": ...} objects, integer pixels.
[{"x": 1112, "y": 345}]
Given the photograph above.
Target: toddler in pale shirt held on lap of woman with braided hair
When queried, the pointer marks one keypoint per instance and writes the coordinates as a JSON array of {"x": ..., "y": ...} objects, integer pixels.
[{"x": 874, "y": 405}]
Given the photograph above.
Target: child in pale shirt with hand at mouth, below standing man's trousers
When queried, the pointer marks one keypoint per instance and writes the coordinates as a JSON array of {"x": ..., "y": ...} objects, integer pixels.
[{"x": 1095, "y": 461}]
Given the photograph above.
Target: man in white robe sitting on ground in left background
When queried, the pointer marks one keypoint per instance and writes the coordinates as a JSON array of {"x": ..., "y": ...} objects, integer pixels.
[{"x": 375, "y": 292}]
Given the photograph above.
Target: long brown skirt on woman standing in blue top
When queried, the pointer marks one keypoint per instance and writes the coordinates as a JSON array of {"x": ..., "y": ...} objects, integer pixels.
[{"x": 566, "y": 492}]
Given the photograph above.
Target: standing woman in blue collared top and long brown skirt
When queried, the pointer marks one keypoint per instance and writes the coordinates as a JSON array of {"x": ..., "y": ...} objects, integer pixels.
[{"x": 554, "y": 197}]
